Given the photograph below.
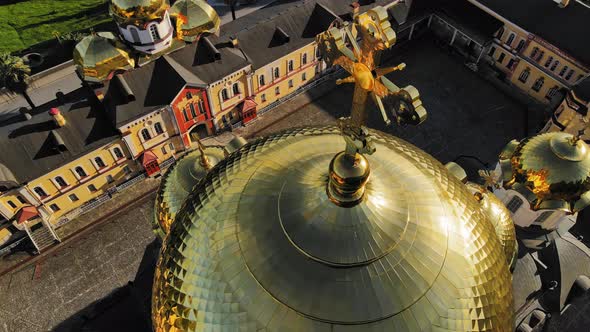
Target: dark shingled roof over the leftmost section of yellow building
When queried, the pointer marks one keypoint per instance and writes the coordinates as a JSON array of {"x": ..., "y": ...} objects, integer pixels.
[{"x": 28, "y": 148}]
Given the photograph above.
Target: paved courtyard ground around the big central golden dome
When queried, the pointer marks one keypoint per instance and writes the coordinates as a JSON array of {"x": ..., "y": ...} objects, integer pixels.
[{"x": 85, "y": 286}]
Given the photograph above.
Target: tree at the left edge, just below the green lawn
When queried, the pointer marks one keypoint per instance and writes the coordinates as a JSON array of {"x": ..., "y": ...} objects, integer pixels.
[{"x": 14, "y": 75}]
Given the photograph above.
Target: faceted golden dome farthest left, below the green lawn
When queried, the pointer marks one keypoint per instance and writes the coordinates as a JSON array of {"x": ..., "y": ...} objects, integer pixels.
[{"x": 100, "y": 55}]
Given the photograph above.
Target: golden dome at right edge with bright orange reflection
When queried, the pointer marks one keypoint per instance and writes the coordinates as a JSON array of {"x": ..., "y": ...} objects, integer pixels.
[{"x": 551, "y": 170}]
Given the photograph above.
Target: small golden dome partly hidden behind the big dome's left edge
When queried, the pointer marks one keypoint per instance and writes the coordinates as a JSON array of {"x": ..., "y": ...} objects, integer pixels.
[{"x": 178, "y": 182}]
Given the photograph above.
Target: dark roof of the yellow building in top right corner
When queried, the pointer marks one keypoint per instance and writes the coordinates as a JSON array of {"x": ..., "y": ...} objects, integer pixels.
[{"x": 562, "y": 27}]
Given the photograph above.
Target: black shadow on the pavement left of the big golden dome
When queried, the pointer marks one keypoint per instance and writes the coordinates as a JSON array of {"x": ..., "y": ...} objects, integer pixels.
[{"x": 126, "y": 308}]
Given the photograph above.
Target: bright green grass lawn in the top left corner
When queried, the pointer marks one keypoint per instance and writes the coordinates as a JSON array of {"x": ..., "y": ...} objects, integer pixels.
[{"x": 29, "y": 22}]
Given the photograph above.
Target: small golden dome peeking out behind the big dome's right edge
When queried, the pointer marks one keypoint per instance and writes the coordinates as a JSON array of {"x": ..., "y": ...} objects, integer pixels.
[{"x": 501, "y": 218}]
